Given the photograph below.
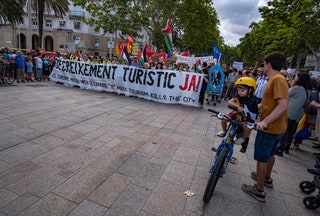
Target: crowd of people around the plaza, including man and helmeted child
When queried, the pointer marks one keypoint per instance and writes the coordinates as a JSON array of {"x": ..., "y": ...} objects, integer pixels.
[{"x": 269, "y": 92}]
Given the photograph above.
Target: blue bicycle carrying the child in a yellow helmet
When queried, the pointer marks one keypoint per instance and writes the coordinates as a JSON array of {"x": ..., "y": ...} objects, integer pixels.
[{"x": 224, "y": 151}]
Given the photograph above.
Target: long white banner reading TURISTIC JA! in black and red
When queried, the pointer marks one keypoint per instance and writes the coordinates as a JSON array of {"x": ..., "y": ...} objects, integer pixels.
[{"x": 164, "y": 86}]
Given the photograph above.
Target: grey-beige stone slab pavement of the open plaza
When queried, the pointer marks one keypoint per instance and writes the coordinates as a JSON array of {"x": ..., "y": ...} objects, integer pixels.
[{"x": 68, "y": 151}]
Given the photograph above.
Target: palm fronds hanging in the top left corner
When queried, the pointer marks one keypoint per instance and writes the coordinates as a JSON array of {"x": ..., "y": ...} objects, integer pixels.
[{"x": 11, "y": 11}]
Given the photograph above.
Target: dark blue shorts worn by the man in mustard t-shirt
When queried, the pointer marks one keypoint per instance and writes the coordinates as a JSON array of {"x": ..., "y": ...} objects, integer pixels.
[{"x": 265, "y": 146}]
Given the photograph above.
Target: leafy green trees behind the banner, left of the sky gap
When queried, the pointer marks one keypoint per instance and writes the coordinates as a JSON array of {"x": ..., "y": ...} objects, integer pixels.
[{"x": 194, "y": 23}]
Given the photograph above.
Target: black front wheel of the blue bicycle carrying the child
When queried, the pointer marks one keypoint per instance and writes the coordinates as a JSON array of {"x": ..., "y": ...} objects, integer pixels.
[{"x": 215, "y": 174}]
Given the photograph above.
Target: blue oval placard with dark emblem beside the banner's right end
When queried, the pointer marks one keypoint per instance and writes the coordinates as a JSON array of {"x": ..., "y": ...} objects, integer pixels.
[{"x": 216, "y": 78}]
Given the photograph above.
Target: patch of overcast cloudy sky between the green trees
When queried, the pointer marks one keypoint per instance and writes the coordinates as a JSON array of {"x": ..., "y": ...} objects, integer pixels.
[{"x": 235, "y": 17}]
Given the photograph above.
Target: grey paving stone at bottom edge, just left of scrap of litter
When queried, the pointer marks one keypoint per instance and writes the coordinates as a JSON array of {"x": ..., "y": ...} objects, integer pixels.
[{"x": 166, "y": 199}]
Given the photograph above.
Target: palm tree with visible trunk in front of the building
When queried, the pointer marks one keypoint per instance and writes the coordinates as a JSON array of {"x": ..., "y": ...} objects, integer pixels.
[{"x": 60, "y": 8}]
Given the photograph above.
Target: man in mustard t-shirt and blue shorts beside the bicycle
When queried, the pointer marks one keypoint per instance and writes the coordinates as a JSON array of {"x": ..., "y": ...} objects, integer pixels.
[{"x": 272, "y": 126}]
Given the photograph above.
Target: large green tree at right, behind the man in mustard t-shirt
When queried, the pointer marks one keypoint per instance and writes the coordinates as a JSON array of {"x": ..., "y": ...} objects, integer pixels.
[{"x": 289, "y": 26}]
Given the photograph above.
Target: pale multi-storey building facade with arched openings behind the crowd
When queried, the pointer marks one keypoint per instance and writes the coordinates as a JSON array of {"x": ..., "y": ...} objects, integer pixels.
[{"x": 64, "y": 35}]
